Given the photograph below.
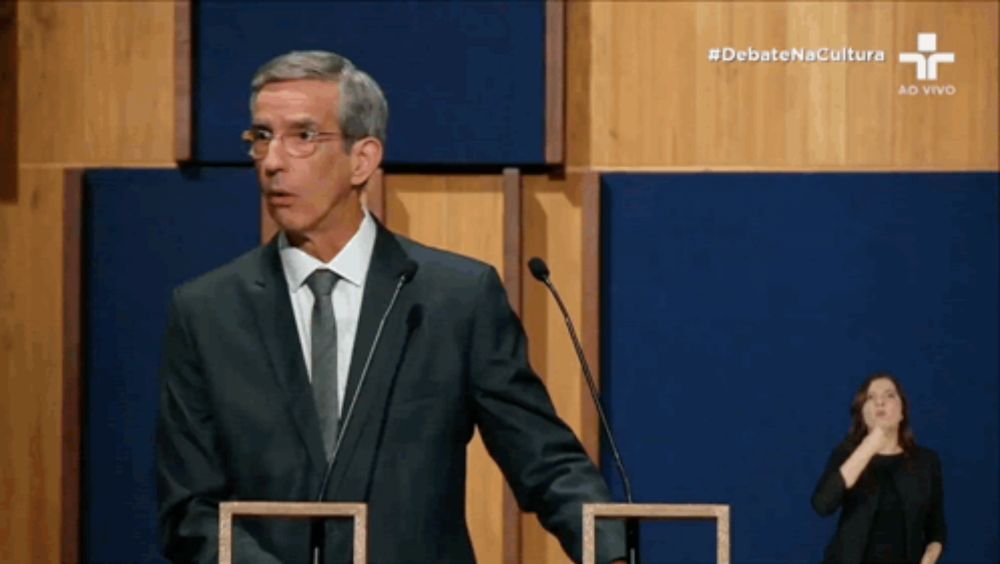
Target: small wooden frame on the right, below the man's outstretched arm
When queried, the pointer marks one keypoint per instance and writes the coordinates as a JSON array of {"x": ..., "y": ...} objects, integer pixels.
[{"x": 591, "y": 511}]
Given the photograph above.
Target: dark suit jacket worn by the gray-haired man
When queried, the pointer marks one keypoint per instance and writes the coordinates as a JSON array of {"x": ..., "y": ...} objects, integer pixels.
[{"x": 237, "y": 419}]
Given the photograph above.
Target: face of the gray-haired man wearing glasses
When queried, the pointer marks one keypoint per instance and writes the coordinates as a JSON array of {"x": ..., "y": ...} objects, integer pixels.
[{"x": 303, "y": 195}]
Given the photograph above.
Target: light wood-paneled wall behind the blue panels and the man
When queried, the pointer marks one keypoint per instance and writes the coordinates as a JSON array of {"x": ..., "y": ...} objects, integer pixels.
[{"x": 95, "y": 86}]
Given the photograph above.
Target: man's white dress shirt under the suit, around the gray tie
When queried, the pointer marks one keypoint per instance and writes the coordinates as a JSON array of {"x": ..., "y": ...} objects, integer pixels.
[{"x": 351, "y": 264}]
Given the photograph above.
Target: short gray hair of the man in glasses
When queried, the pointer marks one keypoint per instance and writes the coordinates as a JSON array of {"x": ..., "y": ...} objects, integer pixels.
[{"x": 363, "y": 109}]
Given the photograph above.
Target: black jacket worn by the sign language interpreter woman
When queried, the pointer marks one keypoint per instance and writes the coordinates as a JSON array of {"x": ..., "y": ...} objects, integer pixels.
[{"x": 918, "y": 481}]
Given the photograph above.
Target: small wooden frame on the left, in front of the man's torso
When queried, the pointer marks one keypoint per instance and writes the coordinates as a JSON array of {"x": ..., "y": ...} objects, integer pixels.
[{"x": 230, "y": 509}]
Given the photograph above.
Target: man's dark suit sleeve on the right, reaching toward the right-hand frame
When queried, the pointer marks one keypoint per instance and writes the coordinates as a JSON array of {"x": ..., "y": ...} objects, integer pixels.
[{"x": 539, "y": 455}]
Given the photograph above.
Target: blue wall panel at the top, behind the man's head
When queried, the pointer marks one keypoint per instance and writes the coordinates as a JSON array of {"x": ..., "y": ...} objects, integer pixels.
[{"x": 465, "y": 80}]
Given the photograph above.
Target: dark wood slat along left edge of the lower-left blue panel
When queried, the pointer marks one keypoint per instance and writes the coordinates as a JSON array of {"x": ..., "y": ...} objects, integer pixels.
[{"x": 72, "y": 416}]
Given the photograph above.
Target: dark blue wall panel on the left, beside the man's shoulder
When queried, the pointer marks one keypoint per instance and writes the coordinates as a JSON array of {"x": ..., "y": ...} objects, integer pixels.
[{"x": 146, "y": 231}]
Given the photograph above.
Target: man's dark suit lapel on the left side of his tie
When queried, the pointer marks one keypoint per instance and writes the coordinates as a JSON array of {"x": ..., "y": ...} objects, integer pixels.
[{"x": 276, "y": 323}]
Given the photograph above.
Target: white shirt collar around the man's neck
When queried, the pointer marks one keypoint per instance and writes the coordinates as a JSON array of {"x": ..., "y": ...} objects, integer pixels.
[{"x": 351, "y": 263}]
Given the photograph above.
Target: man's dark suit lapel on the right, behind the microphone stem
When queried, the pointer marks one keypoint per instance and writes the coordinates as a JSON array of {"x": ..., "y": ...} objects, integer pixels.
[{"x": 359, "y": 443}]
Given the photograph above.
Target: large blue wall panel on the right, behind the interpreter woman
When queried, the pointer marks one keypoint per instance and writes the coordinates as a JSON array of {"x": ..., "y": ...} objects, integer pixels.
[{"x": 740, "y": 313}]
